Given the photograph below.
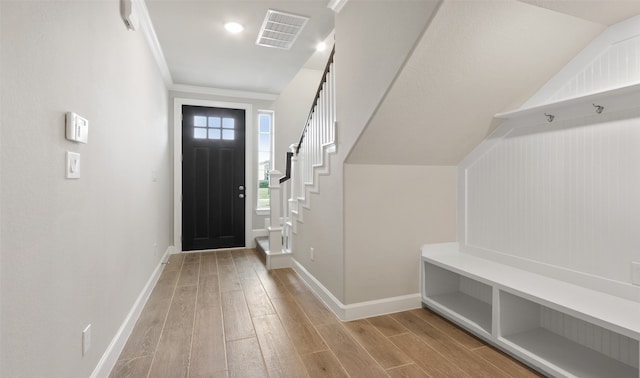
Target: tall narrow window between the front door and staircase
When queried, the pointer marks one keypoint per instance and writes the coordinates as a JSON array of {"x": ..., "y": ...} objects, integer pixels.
[{"x": 265, "y": 144}]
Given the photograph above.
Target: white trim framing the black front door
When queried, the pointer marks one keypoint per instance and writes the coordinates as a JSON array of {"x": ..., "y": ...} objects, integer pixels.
[{"x": 177, "y": 164}]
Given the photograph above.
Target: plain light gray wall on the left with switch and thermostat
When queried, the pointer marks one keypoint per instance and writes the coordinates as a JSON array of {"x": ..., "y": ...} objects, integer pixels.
[{"x": 77, "y": 252}]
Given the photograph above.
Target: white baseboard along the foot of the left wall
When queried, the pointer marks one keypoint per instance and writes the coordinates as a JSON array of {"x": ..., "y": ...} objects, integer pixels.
[{"x": 111, "y": 354}]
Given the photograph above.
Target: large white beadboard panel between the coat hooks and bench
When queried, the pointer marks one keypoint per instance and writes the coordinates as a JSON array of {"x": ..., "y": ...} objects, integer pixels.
[{"x": 568, "y": 197}]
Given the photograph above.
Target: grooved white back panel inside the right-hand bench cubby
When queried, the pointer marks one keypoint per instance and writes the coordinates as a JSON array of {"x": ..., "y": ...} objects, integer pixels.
[{"x": 614, "y": 345}]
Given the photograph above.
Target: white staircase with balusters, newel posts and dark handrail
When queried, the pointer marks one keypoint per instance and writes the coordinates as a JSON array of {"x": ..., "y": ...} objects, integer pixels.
[{"x": 307, "y": 160}]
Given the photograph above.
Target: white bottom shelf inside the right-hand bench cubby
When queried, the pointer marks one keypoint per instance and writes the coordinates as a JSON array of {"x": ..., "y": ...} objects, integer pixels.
[{"x": 567, "y": 356}]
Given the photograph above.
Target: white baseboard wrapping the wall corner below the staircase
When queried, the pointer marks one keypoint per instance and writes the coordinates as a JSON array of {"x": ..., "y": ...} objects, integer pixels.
[{"x": 357, "y": 310}]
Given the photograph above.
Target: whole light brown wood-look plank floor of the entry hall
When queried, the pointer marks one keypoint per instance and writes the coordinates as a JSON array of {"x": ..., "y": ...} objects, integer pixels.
[{"x": 222, "y": 314}]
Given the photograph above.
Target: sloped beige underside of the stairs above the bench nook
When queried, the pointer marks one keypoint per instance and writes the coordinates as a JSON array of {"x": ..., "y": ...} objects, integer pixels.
[{"x": 476, "y": 59}]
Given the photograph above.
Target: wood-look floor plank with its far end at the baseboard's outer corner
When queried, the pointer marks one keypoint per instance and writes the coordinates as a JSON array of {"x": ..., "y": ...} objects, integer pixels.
[{"x": 355, "y": 360}]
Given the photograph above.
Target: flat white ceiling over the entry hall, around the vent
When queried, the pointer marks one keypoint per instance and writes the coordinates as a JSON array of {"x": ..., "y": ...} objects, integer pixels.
[{"x": 200, "y": 53}]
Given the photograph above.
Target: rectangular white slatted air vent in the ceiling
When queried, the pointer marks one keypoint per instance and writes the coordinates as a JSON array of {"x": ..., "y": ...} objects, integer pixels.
[{"x": 280, "y": 30}]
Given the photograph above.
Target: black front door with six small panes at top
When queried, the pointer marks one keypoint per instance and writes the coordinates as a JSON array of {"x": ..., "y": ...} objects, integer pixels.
[{"x": 213, "y": 162}]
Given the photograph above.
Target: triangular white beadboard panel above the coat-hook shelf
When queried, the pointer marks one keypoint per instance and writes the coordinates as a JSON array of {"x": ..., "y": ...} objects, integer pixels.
[{"x": 617, "y": 66}]
